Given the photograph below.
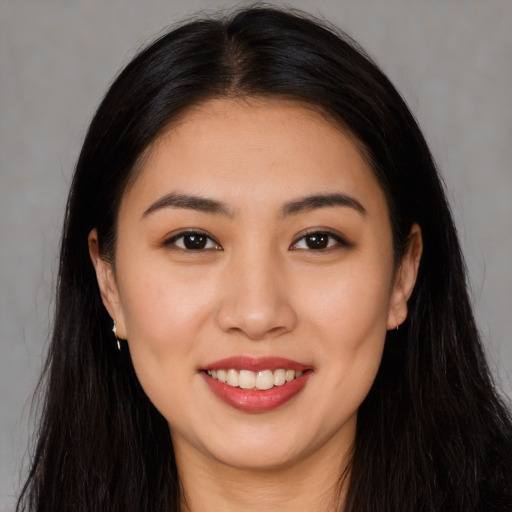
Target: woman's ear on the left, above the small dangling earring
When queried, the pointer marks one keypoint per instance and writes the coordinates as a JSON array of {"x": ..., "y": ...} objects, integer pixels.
[{"x": 107, "y": 284}]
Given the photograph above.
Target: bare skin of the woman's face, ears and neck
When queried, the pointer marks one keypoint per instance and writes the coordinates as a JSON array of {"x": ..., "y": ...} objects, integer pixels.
[{"x": 256, "y": 289}]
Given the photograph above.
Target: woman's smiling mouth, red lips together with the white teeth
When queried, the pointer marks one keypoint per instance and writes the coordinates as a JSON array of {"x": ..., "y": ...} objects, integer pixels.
[{"x": 256, "y": 384}]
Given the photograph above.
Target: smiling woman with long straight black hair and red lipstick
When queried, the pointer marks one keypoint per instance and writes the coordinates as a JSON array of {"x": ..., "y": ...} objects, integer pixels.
[{"x": 257, "y": 216}]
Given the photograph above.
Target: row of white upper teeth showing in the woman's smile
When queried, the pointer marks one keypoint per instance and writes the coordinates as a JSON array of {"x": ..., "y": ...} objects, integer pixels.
[{"x": 245, "y": 379}]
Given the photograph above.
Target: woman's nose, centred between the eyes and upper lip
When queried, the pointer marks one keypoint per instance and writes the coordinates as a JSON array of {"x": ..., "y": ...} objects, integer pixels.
[{"x": 255, "y": 301}]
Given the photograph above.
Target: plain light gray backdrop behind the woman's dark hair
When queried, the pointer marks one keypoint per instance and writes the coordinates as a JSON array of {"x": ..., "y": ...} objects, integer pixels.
[{"x": 451, "y": 59}]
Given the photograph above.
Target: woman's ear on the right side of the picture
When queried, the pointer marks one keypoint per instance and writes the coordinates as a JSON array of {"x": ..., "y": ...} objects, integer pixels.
[{"x": 405, "y": 278}]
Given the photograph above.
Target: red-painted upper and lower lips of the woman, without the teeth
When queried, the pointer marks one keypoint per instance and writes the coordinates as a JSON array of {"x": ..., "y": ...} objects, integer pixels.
[{"x": 254, "y": 400}]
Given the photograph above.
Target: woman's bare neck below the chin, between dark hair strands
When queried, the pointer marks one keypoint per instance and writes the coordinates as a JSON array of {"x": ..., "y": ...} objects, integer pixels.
[{"x": 313, "y": 484}]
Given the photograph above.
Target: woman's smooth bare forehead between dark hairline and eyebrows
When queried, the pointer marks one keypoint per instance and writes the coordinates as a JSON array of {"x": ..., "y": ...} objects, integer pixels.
[{"x": 239, "y": 149}]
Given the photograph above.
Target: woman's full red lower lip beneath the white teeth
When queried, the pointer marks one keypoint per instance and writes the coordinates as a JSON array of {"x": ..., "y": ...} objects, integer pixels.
[{"x": 254, "y": 400}]
